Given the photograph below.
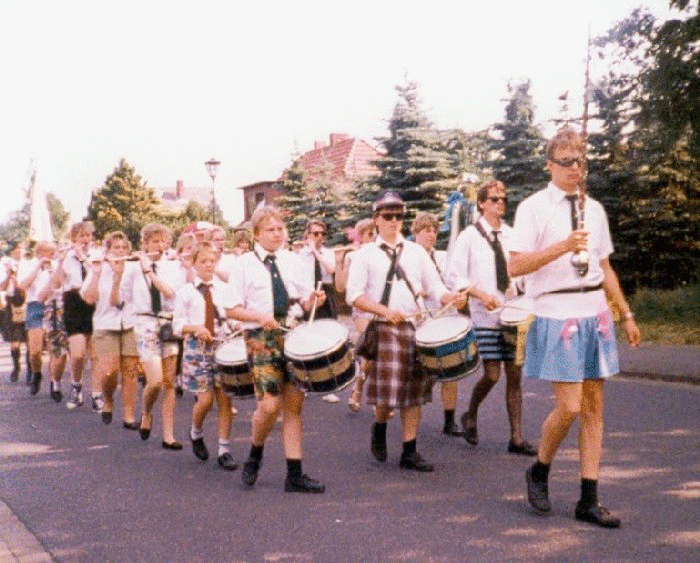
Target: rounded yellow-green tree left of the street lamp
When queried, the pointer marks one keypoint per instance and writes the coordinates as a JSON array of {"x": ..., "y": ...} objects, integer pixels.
[{"x": 123, "y": 203}]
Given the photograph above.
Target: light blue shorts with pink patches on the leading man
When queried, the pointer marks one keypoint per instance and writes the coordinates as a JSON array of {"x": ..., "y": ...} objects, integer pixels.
[{"x": 571, "y": 350}]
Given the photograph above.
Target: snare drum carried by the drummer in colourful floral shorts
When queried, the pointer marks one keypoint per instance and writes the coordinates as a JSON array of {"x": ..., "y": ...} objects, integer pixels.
[{"x": 319, "y": 356}]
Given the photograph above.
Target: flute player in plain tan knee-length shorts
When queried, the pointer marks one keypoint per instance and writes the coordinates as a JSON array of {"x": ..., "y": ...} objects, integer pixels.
[{"x": 113, "y": 341}]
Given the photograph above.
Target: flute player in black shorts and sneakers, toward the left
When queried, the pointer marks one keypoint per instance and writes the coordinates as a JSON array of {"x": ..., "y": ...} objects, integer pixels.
[{"x": 77, "y": 314}]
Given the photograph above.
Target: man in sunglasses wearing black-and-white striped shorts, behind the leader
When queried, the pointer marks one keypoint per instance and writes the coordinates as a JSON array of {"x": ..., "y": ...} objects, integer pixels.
[{"x": 479, "y": 264}]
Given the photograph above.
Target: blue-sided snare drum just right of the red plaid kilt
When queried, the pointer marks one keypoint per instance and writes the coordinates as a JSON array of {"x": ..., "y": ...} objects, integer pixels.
[{"x": 447, "y": 347}]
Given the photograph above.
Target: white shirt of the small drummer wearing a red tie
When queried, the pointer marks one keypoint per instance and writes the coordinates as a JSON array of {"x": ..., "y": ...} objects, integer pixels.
[{"x": 189, "y": 303}]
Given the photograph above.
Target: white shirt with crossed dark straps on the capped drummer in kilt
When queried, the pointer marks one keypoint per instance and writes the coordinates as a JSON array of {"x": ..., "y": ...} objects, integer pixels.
[{"x": 370, "y": 266}]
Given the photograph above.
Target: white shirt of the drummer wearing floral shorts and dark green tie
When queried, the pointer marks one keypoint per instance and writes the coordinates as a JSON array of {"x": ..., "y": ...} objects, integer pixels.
[{"x": 252, "y": 285}]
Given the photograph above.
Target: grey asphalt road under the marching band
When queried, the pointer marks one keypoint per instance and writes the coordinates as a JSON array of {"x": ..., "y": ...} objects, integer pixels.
[{"x": 91, "y": 492}]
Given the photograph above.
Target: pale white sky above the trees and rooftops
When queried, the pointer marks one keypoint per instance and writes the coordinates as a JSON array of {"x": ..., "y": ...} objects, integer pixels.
[{"x": 168, "y": 85}]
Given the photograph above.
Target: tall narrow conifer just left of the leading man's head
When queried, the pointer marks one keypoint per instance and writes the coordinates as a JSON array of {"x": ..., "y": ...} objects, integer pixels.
[{"x": 519, "y": 147}]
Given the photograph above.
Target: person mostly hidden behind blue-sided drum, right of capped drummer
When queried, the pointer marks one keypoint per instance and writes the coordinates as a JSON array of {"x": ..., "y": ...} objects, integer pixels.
[{"x": 424, "y": 229}]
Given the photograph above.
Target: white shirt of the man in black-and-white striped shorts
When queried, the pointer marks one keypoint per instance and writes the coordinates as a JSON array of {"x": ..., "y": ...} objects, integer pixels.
[{"x": 473, "y": 263}]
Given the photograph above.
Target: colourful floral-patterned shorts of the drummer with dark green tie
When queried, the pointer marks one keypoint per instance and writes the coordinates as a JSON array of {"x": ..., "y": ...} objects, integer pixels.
[{"x": 265, "y": 350}]
